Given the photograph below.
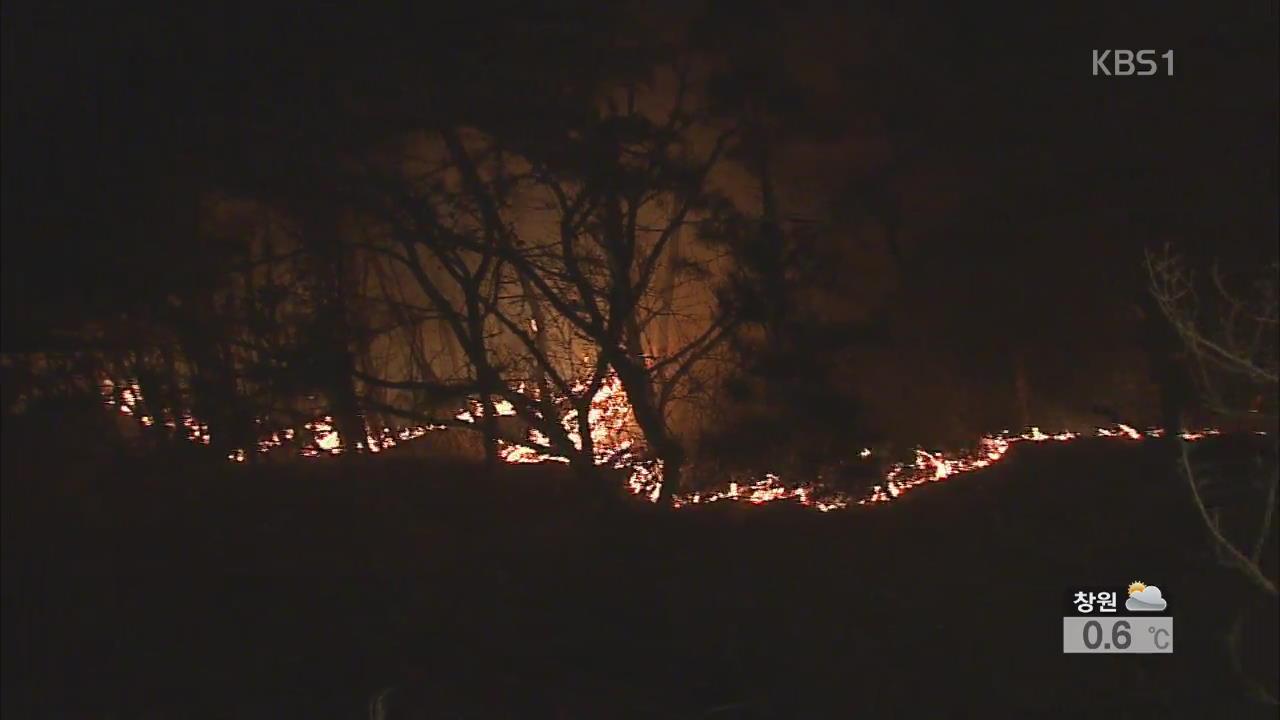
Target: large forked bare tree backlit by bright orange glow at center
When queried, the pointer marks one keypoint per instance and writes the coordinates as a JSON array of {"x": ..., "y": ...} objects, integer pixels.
[{"x": 540, "y": 248}]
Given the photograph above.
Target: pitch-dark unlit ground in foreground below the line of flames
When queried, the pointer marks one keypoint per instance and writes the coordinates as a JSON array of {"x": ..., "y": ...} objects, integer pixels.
[{"x": 161, "y": 590}]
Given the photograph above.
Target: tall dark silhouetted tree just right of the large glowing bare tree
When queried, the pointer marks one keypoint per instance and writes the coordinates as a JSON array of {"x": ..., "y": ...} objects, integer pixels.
[{"x": 794, "y": 411}]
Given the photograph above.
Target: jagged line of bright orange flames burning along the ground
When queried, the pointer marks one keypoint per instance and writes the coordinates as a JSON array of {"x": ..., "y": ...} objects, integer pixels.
[{"x": 616, "y": 444}]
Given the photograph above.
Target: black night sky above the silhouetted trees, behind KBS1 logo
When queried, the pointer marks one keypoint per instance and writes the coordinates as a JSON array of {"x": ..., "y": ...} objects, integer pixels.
[{"x": 1021, "y": 179}]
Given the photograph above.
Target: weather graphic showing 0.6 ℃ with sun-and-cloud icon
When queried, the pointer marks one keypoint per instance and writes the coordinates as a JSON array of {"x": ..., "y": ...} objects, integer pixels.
[{"x": 1136, "y": 619}]
